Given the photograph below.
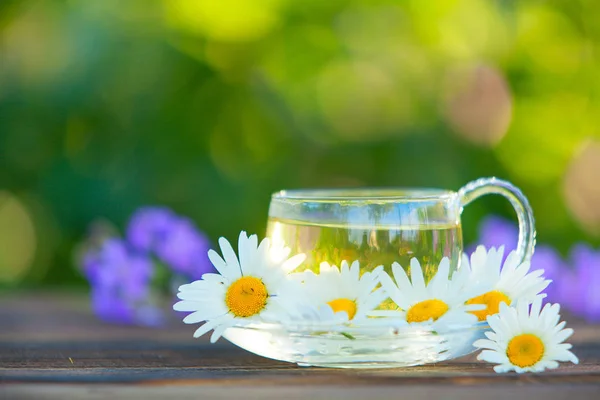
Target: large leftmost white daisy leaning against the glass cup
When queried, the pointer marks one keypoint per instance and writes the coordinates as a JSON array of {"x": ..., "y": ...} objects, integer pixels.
[{"x": 245, "y": 290}]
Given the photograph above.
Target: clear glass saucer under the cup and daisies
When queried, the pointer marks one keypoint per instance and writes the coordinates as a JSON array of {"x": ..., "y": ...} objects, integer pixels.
[{"x": 357, "y": 347}]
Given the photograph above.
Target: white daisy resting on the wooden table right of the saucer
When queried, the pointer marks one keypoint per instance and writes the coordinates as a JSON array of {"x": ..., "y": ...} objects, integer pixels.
[{"x": 524, "y": 340}]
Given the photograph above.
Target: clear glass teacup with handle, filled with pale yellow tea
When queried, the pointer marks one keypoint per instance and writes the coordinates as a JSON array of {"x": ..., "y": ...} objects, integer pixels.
[{"x": 382, "y": 226}]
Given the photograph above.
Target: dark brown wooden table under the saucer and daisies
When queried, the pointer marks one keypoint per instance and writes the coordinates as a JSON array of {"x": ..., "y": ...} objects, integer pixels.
[{"x": 52, "y": 347}]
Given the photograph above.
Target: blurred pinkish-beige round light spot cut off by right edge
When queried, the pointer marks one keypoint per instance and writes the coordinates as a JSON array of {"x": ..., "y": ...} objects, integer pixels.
[{"x": 581, "y": 187}]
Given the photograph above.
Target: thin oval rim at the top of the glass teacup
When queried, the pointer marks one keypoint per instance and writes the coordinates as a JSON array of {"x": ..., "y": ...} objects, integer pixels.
[{"x": 361, "y": 194}]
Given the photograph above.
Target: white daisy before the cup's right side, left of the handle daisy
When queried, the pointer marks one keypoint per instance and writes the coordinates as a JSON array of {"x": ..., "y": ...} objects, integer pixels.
[{"x": 440, "y": 303}]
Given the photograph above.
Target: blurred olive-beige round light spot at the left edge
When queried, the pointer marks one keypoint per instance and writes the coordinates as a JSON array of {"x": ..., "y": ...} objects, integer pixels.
[{"x": 17, "y": 239}]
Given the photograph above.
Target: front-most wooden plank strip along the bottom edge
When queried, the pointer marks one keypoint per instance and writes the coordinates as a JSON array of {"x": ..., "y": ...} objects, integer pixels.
[{"x": 293, "y": 392}]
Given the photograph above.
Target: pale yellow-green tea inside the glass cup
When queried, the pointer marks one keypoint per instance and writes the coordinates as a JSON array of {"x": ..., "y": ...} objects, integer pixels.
[{"x": 371, "y": 245}]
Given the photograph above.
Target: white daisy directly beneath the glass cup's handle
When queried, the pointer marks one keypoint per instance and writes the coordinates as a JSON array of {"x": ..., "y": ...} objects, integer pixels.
[{"x": 504, "y": 284}]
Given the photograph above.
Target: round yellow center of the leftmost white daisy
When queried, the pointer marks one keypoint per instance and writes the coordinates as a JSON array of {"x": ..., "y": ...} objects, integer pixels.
[{"x": 246, "y": 297}]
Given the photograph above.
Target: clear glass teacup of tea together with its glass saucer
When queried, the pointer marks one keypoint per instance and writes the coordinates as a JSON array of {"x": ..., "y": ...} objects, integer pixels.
[{"x": 376, "y": 227}]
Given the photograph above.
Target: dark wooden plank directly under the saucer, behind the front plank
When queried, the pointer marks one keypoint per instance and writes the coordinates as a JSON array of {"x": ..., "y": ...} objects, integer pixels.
[{"x": 70, "y": 356}]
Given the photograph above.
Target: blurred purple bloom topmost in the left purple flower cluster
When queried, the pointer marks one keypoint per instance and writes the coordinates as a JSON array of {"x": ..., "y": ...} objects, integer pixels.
[{"x": 148, "y": 226}]
